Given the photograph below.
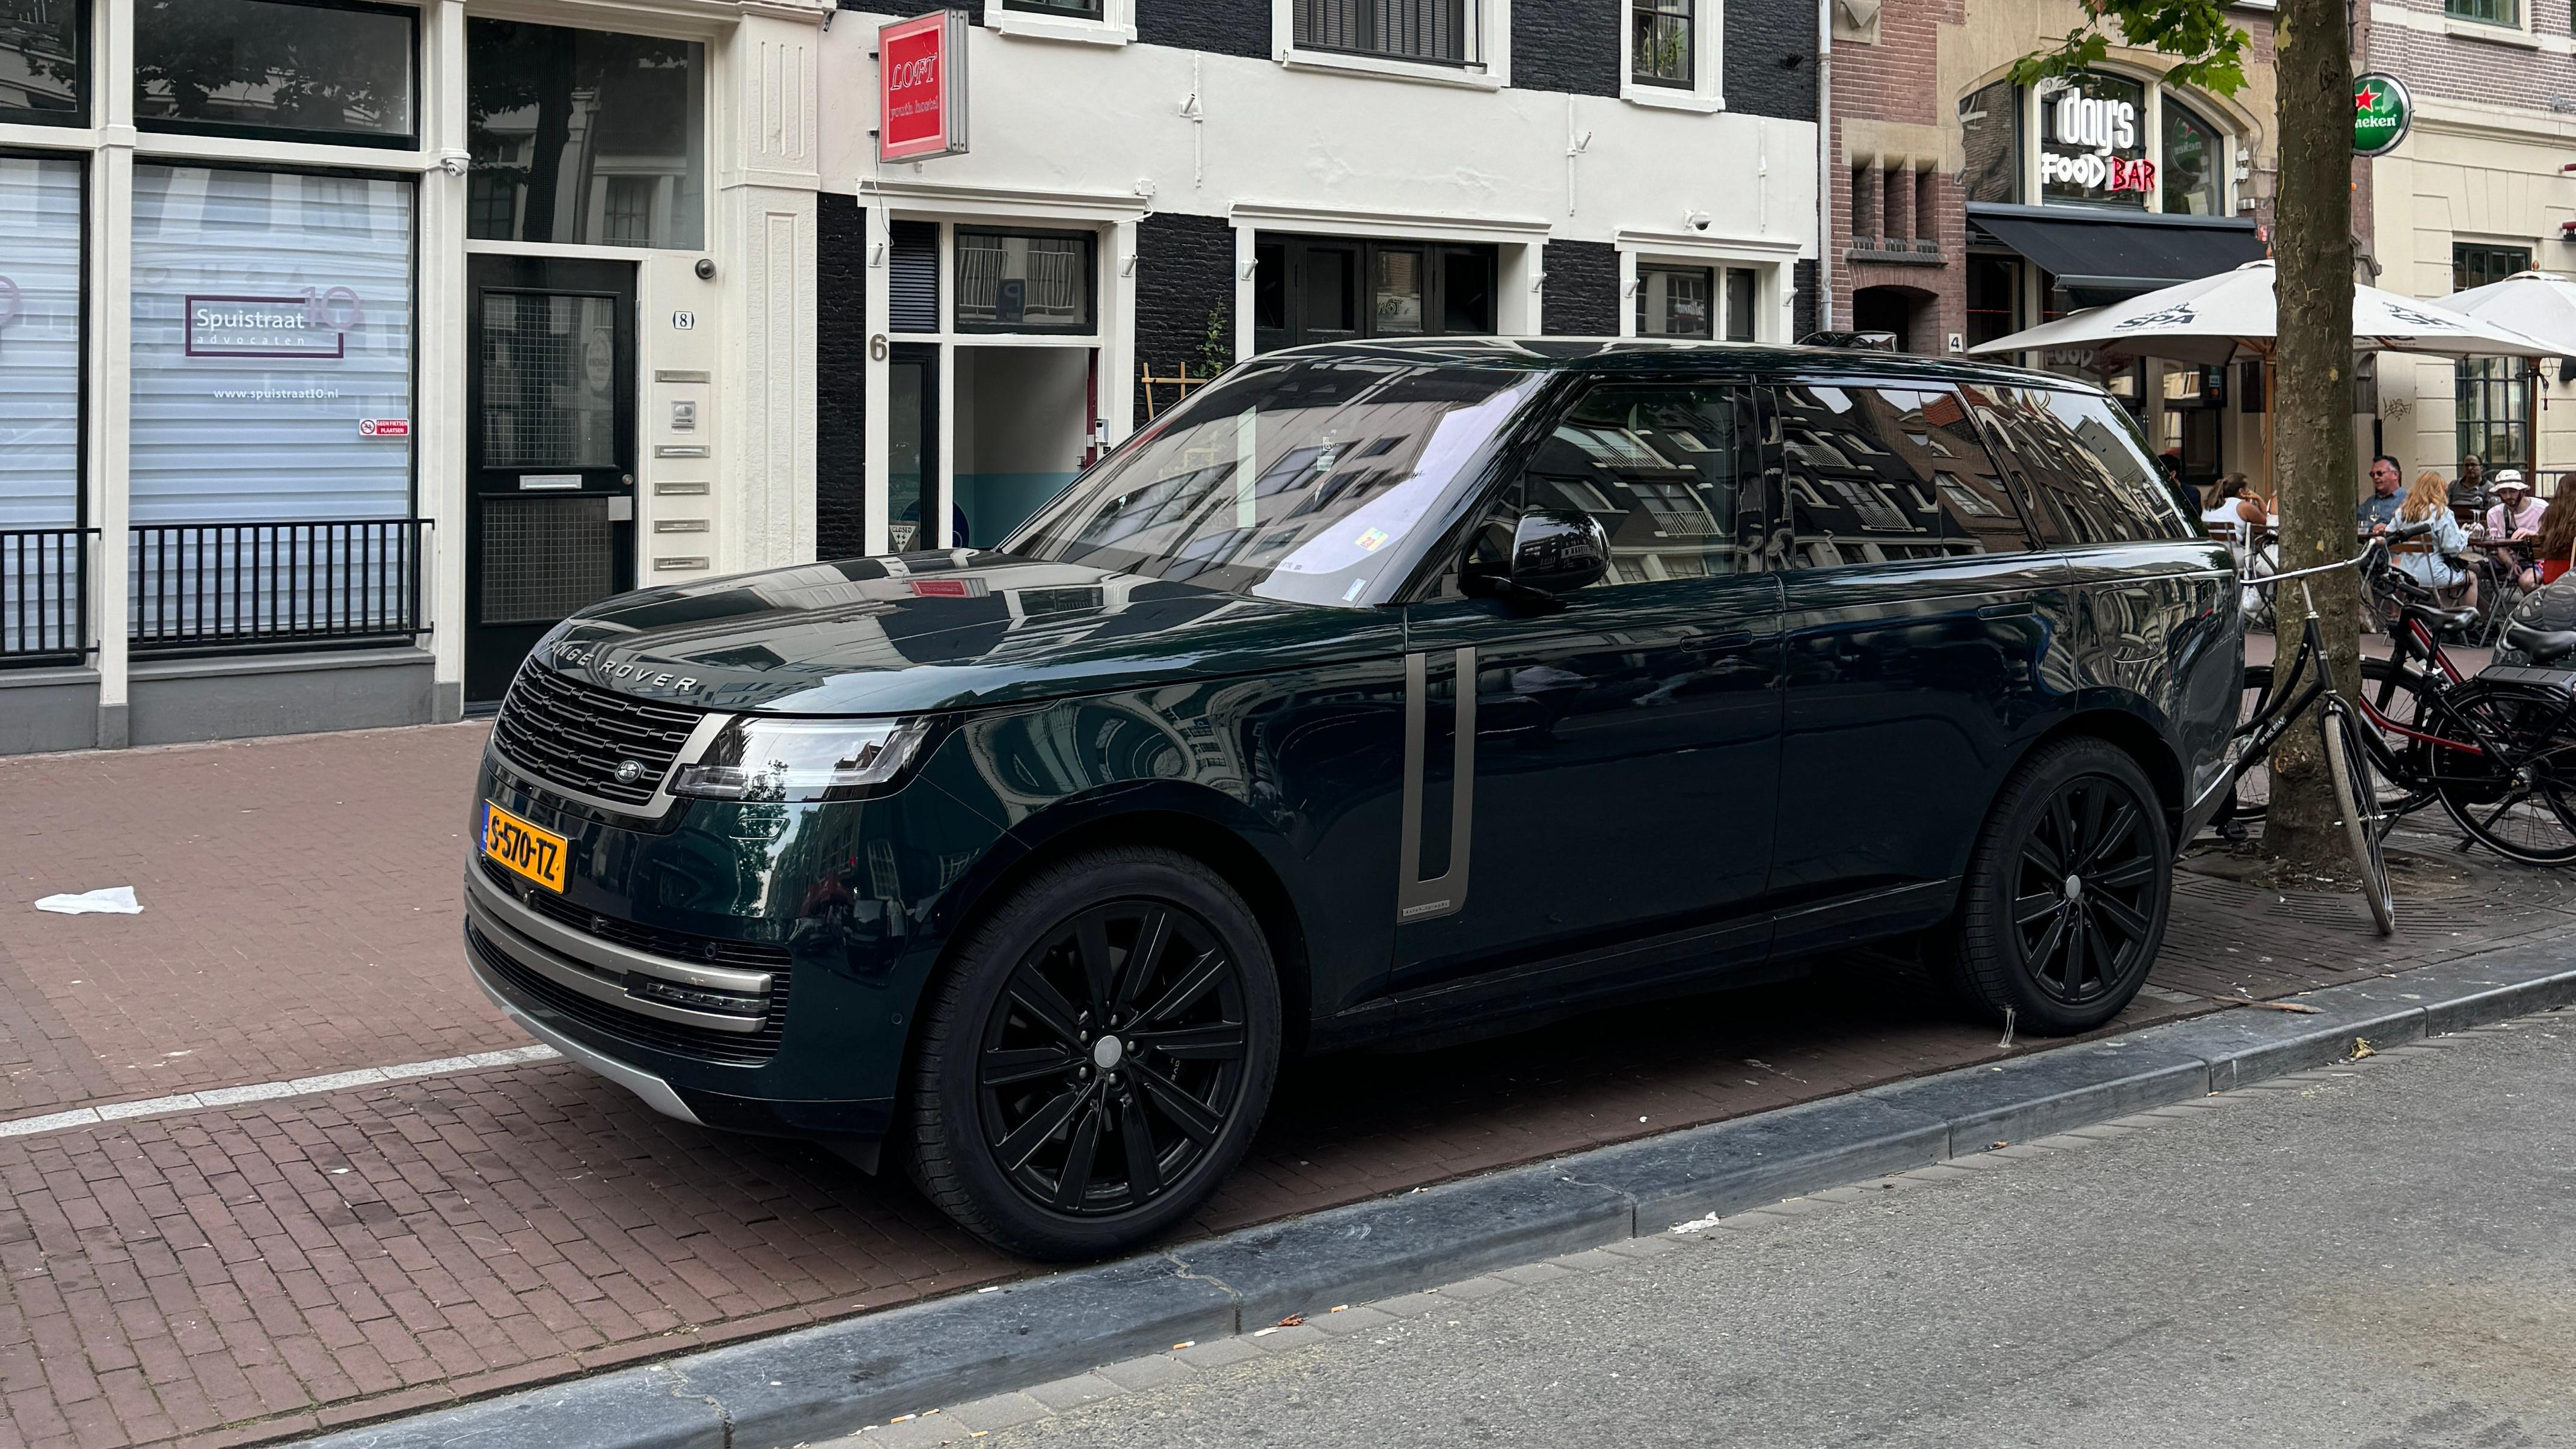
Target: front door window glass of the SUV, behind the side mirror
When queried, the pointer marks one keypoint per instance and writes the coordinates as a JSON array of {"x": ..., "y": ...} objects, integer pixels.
[{"x": 1671, "y": 473}]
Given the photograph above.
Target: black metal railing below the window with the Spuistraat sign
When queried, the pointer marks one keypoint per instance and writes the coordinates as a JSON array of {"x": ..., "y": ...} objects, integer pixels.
[{"x": 274, "y": 584}]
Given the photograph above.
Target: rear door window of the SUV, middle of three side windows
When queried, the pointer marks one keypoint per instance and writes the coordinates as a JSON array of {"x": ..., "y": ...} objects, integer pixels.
[{"x": 1889, "y": 473}]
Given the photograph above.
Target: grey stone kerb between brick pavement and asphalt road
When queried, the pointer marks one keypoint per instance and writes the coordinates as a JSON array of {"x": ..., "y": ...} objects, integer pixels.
[{"x": 836, "y": 1378}]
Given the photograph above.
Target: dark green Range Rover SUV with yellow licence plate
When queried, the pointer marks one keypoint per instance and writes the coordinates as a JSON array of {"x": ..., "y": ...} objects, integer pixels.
[{"x": 1379, "y": 695}]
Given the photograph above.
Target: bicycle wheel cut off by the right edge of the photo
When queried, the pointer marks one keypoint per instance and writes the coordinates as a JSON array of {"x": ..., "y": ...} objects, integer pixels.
[{"x": 2521, "y": 806}]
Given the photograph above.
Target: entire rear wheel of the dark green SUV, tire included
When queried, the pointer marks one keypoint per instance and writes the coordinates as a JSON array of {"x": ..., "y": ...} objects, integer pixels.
[{"x": 2041, "y": 942}]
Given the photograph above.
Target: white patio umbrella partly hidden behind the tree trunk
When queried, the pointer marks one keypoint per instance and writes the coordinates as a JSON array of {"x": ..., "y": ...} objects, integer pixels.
[{"x": 2232, "y": 316}]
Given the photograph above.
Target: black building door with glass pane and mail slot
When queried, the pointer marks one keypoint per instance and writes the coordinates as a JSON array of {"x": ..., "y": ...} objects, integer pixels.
[{"x": 550, "y": 452}]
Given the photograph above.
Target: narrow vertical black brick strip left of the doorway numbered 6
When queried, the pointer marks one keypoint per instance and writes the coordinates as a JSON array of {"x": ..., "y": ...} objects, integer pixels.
[{"x": 841, "y": 378}]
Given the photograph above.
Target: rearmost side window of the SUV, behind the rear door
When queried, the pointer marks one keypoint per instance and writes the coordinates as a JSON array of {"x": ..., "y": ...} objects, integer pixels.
[{"x": 2093, "y": 481}]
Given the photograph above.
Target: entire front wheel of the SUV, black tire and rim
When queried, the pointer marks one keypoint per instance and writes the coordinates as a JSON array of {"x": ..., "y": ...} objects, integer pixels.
[{"x": 1047, "y": 1053}]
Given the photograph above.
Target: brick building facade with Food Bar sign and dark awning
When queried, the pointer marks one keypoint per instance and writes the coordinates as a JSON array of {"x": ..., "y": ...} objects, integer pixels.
[{"x": 1956, "y": 215}]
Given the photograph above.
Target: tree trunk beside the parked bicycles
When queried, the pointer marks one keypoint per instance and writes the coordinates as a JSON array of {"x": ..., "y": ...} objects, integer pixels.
[{"x": 2315, "y": 409}]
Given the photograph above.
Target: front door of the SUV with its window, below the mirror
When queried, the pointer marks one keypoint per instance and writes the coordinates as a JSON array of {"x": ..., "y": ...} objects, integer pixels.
[{"x": 1622, "y": 783}]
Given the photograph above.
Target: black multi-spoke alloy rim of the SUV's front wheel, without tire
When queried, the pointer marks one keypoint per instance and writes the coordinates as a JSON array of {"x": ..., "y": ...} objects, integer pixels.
[{"x": 1114, "y": 1058}]
